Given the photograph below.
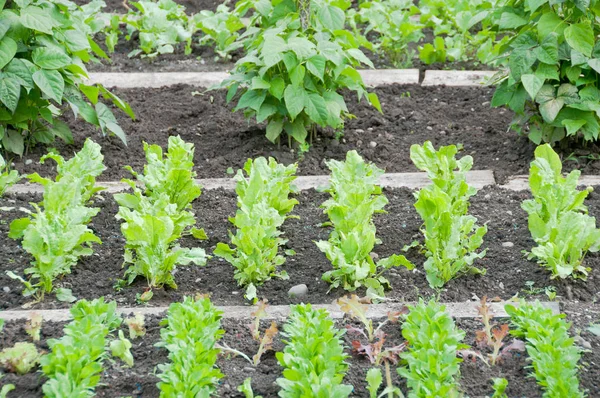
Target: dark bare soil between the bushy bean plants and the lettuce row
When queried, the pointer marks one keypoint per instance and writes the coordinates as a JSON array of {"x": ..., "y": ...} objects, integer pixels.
[{"x": 412, "y": 114}]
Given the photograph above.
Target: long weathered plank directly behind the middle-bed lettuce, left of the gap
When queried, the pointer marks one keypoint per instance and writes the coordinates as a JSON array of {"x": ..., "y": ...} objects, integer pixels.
[{"x": 477, "y": 178}]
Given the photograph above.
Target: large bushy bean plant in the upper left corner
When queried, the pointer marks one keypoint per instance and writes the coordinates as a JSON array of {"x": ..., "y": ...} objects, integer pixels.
[{"x": 44, "y": 47}]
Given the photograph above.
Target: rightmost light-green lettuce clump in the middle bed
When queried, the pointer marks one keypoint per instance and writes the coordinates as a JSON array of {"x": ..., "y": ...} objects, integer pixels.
[{"x": 558, "y": 219}]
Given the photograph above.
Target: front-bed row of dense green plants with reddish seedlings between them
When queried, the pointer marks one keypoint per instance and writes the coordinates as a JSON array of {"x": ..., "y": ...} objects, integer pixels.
[{"x": 314, "y": 357}]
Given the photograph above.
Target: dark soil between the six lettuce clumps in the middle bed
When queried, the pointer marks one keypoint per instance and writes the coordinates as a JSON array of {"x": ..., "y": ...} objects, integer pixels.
[{"x": 507, "y": 270}]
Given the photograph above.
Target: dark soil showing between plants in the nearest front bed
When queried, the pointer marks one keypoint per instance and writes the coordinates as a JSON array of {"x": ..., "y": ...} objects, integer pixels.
[{"x": 140, "y": 381}]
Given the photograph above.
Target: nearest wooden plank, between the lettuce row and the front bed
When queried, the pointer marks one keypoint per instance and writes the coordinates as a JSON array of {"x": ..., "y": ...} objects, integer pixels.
[{"x": 457, "y": 310}]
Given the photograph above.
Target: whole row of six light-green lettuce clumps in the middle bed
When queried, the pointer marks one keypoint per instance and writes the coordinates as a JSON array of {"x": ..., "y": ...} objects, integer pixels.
[{"x": 158, "y": 212}]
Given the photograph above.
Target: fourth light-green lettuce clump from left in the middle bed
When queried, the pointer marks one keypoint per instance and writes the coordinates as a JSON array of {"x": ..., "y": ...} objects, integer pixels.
[{"x": 355, "y": 197}]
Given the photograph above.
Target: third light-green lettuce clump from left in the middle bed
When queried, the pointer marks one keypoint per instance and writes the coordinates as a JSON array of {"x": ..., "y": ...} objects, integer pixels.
[{"x": 263, "y": 206}]
